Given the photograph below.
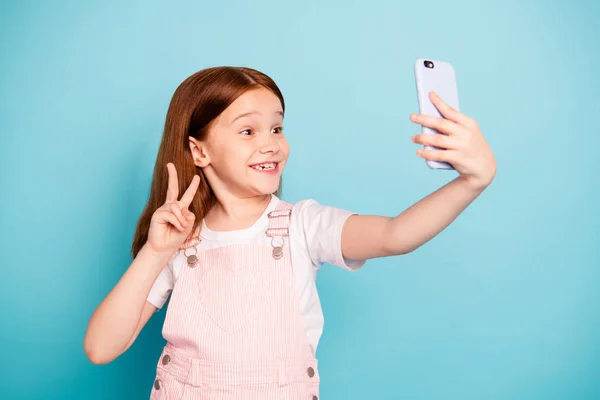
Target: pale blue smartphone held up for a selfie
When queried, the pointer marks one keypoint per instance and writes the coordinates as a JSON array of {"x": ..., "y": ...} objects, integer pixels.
[{"x": 440, "y": 77}]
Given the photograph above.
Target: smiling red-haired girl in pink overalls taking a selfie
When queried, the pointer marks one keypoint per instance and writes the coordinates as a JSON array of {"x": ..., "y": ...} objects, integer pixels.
[{"x": 244, "y": 317}]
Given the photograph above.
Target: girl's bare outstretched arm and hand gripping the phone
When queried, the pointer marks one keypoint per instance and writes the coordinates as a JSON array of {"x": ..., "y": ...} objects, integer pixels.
[{"x": 463, "y": 146}]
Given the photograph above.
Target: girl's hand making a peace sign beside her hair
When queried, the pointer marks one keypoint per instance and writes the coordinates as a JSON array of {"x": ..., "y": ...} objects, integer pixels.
[{"x": 172, "y": 223}]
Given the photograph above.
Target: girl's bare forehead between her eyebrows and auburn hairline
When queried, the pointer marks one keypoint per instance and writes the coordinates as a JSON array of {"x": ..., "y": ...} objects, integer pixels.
[{"x": 261, "y": 102}]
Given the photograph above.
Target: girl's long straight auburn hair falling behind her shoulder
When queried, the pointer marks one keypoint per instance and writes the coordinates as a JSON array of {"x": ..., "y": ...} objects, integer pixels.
[{"x": 197, "y": 101}]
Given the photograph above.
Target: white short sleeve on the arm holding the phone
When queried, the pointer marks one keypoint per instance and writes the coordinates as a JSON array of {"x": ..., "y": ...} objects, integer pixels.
[{"x": 321, "y": 227}]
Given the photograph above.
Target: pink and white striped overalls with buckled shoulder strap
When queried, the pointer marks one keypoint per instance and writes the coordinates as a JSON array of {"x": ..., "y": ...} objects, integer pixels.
[{"x": 234, "y": 329}]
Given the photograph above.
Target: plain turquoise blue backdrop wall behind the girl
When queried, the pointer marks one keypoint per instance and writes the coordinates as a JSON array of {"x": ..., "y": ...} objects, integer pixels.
[{"x": 504, "y": 304}]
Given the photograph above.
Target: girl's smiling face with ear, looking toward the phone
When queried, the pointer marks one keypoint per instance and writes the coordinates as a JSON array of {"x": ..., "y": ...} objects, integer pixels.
[{"x": 245, "y": 150}]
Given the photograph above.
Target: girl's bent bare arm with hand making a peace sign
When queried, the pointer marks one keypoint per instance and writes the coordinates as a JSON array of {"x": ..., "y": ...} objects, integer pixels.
[{"x": 119, "y": 318}]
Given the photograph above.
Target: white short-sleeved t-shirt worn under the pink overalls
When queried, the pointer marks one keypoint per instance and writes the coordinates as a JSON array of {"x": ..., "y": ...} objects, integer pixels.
[{"x": 315, "y": 233}]
